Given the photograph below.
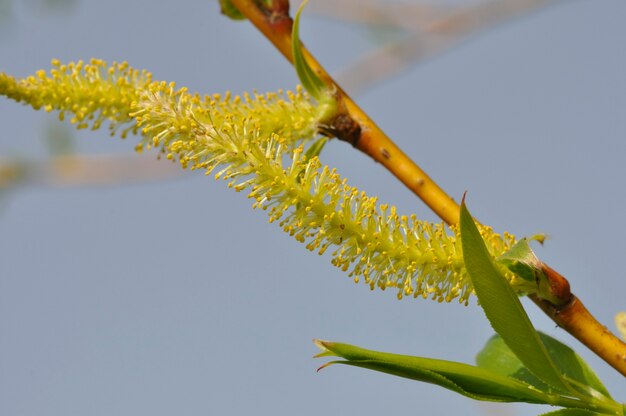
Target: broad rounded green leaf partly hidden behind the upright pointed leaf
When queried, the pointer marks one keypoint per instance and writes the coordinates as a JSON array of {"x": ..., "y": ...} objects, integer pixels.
[{"x": 497, "y": 356}]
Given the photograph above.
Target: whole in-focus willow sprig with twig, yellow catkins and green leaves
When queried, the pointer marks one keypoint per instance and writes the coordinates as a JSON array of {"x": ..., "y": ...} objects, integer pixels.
[{"x": 268, "y": 146}]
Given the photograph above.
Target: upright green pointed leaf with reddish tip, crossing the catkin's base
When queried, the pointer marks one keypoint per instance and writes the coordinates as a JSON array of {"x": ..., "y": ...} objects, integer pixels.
[{"x": 503, "y": 308}]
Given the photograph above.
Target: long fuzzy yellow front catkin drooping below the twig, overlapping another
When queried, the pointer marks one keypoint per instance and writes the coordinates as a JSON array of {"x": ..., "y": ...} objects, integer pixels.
[{"x": 312, "y": 202}]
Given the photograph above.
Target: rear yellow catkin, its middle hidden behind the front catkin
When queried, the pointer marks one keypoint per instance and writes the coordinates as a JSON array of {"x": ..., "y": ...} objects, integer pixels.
[{"x": 96, "y": 92}]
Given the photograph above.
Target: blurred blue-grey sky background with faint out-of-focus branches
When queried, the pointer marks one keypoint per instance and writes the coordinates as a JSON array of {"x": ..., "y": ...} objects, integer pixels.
[{"x": 128, "y": 287}]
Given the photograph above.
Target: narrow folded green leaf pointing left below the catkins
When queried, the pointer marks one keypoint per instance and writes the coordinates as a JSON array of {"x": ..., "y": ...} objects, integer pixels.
[{"x": 470, "y": 381}]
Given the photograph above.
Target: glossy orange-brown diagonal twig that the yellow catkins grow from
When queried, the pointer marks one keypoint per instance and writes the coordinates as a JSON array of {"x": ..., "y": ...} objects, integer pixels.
[{"x": 566, "y": 309}]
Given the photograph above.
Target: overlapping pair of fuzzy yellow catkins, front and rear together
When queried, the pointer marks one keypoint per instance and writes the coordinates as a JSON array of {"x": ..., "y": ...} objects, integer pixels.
[{"x": 256, "y": 144}]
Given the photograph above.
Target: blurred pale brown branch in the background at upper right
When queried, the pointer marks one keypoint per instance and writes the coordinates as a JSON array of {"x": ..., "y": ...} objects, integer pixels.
[{"x": 426, "y": 30}]
